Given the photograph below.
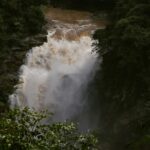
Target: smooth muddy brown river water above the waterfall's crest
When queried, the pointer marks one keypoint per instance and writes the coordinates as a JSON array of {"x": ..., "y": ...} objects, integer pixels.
[{"x": 73, "y": 16}]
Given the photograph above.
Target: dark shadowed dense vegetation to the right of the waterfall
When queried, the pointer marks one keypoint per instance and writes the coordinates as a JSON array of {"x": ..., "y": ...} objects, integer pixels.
[{"x": 122, "y": 86}]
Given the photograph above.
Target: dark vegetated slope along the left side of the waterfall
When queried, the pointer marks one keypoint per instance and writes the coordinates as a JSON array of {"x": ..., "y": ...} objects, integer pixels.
[{"x": 19, "y": 21}]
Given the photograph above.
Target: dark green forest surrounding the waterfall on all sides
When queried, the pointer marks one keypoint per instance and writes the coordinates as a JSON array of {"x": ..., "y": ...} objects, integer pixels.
[{"x": 119, "y": 93}]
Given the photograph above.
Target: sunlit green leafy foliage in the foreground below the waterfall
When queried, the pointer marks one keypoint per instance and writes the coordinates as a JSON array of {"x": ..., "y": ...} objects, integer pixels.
[{"x": 25, "y": 130}]
